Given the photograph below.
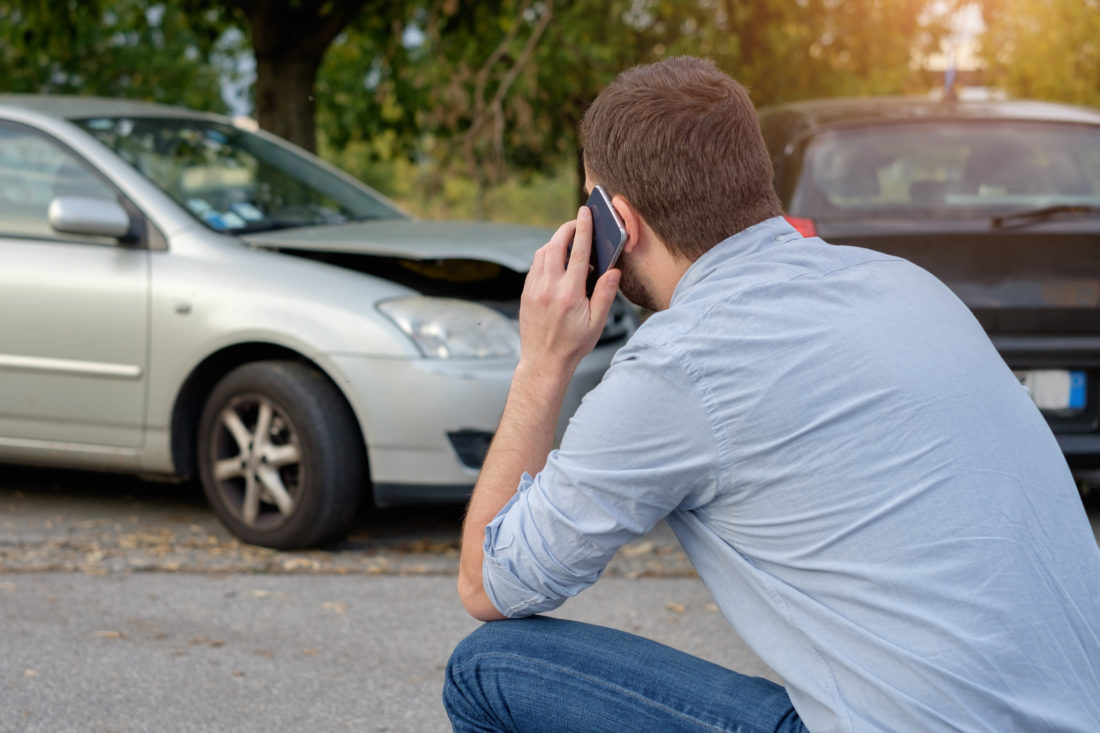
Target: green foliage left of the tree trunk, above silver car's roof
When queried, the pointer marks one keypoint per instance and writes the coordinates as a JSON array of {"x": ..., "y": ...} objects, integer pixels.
[{"x": 119, "y": 49}]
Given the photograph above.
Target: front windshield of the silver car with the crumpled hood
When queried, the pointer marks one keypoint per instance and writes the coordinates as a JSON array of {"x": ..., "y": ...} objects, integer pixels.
[{"x": 235, "y": 181}]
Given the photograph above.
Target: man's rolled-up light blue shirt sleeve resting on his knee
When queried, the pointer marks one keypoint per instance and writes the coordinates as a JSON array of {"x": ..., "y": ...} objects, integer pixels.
[{"x": 640, "y": 447}]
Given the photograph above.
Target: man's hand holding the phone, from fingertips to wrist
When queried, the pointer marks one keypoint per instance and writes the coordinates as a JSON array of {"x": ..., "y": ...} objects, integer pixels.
[{"x": 558, "y": 324}]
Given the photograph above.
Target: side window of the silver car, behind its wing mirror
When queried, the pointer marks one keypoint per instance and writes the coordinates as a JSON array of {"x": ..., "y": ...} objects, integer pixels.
[{"x": 34, "y": 172}]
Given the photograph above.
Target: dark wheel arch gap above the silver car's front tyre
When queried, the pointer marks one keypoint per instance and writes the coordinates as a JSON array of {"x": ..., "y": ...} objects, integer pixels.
[{"x": 188, "y": 409}]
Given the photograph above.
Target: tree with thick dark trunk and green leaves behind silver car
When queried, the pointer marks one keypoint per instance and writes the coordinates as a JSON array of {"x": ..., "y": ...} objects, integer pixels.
[{"x": 180, "y": 51}]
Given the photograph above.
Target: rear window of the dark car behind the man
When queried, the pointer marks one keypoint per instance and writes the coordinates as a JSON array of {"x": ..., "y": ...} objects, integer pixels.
[{"x": 949, "y": 169}]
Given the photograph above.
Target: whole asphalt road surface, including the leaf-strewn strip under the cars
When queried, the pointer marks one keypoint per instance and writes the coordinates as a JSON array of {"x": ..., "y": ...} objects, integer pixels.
[{"x": 126, "y": 607}]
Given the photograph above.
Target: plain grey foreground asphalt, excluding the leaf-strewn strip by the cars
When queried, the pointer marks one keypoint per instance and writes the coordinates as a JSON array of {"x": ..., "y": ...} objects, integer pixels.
[{"x": 184, "y": 652}]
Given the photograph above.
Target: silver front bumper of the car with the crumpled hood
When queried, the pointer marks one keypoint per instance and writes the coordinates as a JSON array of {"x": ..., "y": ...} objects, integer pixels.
[{"x": 426, "y": 423}]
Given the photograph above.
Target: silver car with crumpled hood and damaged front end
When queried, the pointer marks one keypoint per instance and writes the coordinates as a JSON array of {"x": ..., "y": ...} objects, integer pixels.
[{"x": 184, "y": 297}]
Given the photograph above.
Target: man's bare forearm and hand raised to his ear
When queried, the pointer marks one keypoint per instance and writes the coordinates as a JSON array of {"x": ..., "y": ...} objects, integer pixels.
[{"x": 558, "y": 326}]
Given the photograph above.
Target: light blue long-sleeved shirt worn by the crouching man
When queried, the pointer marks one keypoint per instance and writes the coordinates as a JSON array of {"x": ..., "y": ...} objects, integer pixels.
[{"x": 873, "y": 499}]
